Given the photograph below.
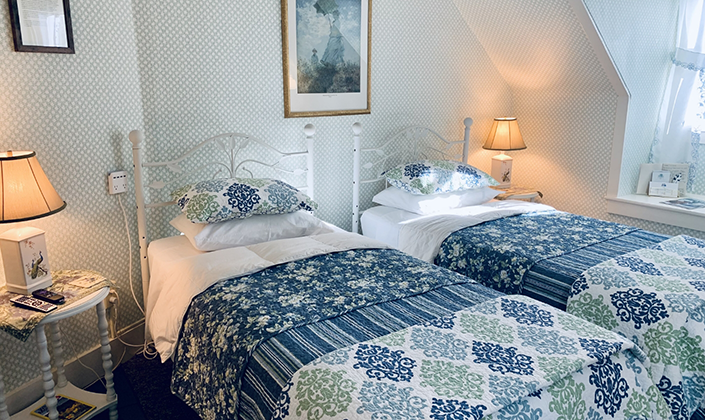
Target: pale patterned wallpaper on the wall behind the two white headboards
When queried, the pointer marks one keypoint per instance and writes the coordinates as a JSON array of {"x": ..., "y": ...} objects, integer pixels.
[{"x": 427, "y": 68}]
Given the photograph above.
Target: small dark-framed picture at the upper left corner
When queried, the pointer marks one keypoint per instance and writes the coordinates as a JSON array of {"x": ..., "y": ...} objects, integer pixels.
[{"x": 42, "y": 26}]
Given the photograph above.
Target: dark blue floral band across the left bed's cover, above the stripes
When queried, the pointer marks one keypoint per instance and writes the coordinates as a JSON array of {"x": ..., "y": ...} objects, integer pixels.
[{"x": 225, "y": 324}]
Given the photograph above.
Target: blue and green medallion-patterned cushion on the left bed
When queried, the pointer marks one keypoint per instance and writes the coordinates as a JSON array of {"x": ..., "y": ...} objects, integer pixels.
[{"x": 218, "y": 200}]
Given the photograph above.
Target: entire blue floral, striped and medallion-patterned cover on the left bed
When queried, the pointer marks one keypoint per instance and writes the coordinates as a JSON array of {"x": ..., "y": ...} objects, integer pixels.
[{"x": 243, "y": 340}]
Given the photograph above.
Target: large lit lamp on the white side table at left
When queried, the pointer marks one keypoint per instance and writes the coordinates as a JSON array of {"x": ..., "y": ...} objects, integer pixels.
[{"x": 25, "y": 194}]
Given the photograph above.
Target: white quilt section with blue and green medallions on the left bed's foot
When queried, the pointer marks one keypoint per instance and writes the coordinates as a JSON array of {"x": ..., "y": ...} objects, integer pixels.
[{"x": 507, "y": 358}]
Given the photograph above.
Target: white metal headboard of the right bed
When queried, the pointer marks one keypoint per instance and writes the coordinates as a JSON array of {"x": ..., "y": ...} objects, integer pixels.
[{"x": 410, "y": 151}]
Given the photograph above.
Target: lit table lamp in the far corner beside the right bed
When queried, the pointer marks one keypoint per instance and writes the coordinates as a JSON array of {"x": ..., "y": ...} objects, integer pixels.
[{"x": 504, "y": 135}]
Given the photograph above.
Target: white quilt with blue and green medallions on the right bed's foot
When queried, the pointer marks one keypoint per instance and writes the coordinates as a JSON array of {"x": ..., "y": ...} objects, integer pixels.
[{"x": 656, "y": 297}]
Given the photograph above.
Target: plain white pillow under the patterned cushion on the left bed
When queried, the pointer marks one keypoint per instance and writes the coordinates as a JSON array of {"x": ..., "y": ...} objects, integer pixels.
[{"x": 253, "y": 230}]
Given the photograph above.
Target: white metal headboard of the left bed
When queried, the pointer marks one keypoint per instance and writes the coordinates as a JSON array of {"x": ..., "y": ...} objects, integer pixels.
[{"x": 230, "y": 144}]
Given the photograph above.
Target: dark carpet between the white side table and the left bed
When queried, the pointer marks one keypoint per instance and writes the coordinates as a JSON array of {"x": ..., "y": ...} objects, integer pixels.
[{"x": 143, "y": 392}]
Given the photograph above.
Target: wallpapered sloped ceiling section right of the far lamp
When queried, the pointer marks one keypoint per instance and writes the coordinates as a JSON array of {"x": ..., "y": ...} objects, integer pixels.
[{"x": 562, "y": 97}]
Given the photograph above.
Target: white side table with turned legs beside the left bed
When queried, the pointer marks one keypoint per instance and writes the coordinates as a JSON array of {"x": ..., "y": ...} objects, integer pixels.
[{"x": 63, "y": 386}]
